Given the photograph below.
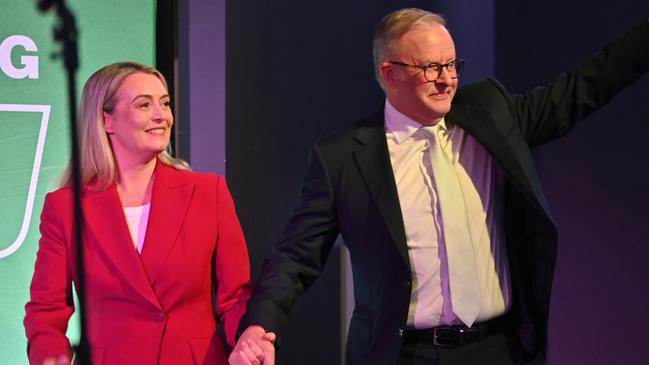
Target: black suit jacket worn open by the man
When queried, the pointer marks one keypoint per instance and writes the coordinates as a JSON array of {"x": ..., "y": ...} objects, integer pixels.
[{"x": 350, "y": 189}]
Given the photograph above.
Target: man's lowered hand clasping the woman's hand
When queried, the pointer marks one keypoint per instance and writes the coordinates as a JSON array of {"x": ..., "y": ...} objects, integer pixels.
[{"x": 255, "y": 347}]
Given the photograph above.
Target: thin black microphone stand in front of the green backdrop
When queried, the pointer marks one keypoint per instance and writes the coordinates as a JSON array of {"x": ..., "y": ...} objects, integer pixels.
[{"x": 66, "y": 33}]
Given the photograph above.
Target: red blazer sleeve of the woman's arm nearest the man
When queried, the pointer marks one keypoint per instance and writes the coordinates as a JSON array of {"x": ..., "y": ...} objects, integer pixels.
[{"x": 231, "y": 264}]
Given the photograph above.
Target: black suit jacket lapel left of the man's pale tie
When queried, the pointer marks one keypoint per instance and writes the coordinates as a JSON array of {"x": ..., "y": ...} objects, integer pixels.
[{"x": 374, "y": 164}]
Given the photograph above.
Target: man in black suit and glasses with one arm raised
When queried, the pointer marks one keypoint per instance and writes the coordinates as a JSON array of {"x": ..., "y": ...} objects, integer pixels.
[{"x": 438, "y": 200}]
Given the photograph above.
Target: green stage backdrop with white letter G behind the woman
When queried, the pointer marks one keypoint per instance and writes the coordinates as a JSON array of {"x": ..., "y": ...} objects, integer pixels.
[{"x": 34, "y": 134}]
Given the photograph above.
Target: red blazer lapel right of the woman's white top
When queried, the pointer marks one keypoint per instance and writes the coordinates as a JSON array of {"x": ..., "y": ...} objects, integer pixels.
[{"x": 169, "y": 202}]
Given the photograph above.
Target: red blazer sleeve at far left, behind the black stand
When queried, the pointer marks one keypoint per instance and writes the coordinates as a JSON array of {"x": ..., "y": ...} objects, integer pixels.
[{"x": 50, "y": 305}]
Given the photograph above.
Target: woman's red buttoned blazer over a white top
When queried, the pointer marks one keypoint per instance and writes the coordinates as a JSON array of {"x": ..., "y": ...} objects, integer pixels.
[{"x": 153, "y": 308}]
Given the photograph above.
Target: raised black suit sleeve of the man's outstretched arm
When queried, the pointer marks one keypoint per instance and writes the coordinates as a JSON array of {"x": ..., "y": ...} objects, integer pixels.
[{"x": 548, "y": 112}]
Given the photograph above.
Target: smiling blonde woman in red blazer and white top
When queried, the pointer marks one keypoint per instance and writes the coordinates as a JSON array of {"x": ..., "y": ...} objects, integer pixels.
[{"x": 159, "y": 240}]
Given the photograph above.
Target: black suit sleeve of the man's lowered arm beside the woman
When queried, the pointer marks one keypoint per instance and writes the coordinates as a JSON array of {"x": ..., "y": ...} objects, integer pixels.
[{"x": 301, "y": 254}]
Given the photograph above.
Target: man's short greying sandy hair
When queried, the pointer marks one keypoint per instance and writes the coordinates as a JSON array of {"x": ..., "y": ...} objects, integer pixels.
[{"x": 392, "y": 27}]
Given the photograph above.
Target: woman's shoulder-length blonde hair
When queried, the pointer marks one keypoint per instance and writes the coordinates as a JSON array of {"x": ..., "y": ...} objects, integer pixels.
[{"x": 96, "y": 154}]
